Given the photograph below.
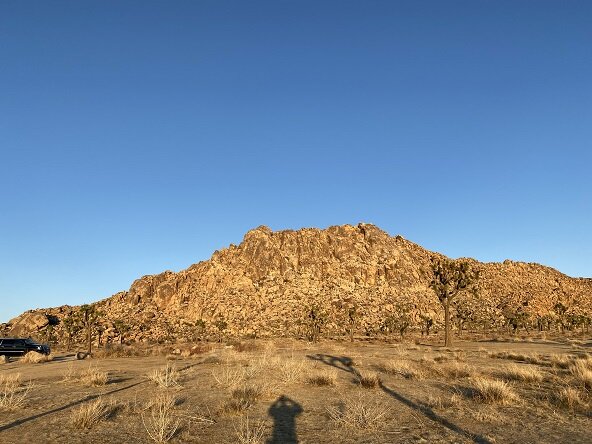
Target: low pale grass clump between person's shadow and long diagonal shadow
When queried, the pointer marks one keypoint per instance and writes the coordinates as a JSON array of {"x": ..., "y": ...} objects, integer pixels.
[{"x": 359, "y": 413}]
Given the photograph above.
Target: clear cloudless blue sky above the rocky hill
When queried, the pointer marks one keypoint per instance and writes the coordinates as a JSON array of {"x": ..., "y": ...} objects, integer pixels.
[{"x": 141, "y": 136}]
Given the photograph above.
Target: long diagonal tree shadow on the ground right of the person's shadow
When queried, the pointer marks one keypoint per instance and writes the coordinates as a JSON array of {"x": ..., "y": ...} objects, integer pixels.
[{"x": 346, "y": 364}]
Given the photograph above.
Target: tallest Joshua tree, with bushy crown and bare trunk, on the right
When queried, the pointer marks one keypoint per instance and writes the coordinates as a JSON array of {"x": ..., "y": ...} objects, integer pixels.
[{"x": 449, "y": 279}]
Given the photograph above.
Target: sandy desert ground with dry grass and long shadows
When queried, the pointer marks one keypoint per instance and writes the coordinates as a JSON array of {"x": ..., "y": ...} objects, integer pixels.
[{"x": 528, "y": 390}]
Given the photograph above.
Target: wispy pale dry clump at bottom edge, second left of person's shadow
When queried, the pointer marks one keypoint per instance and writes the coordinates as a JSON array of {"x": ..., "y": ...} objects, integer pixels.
[{"x": 160, "y": 422}]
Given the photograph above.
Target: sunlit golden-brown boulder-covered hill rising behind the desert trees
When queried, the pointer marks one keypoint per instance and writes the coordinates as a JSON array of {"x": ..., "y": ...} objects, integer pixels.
[{"x": 266, "y": 285}]
